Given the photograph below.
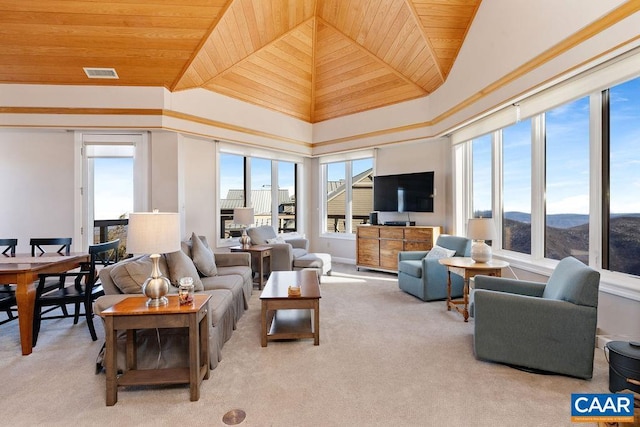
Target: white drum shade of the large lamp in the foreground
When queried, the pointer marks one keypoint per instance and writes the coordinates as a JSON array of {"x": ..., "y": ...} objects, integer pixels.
[{"x": 153, "y": 233}]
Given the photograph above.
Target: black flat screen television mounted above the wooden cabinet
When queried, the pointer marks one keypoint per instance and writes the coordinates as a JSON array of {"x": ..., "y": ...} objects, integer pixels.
[{"x": 409, "y": 192}]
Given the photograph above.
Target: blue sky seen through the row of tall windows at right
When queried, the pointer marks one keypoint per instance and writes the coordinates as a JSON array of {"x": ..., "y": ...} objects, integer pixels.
[{"x": 567, "y": 152}]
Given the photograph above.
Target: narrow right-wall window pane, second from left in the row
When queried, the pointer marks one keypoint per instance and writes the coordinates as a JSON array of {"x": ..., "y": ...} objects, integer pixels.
[{"x": 516, "y": 187}]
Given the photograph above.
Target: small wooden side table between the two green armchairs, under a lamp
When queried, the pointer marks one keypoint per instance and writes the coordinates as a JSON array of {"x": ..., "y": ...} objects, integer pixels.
[{"x": 467, "y": 268}]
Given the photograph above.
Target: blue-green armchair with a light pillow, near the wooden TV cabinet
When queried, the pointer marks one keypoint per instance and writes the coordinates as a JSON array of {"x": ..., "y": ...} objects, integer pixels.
[{"x": 424, "y": 277}]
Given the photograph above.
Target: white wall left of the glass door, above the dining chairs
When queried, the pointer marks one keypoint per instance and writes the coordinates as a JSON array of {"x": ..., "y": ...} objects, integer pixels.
[{"x": 37, "y": 190}]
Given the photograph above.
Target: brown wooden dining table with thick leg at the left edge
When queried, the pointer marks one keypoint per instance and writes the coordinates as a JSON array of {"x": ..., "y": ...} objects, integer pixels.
[{"x": 22, "y": 270}]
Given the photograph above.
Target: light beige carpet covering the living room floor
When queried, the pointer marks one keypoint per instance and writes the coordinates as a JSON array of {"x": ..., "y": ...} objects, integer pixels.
[{"x": 385, "y": 359}]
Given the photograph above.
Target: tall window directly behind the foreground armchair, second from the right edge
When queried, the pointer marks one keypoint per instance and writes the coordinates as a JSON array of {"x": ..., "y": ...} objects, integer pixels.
[{"x": 567, "y": 181}]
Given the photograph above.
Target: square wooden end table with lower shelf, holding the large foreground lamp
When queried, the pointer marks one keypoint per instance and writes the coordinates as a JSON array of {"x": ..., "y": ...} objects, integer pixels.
[{"x": 131, "y": 314}]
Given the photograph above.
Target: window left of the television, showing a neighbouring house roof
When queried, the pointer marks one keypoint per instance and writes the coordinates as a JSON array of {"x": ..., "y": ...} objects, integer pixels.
[{"x": 349, "y": 194}]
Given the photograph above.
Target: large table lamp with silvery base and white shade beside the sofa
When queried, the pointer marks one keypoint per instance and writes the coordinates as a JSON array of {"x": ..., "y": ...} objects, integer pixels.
[{"x": 154, "y": 233}]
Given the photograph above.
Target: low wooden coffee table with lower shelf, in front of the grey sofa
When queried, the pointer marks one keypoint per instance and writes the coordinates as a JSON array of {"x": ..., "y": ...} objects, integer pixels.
[{"x": 285, "y": 317}]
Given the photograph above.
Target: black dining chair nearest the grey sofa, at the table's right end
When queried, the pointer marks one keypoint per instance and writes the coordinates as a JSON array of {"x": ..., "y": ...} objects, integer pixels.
[{"x": 85, "y": 290}]
